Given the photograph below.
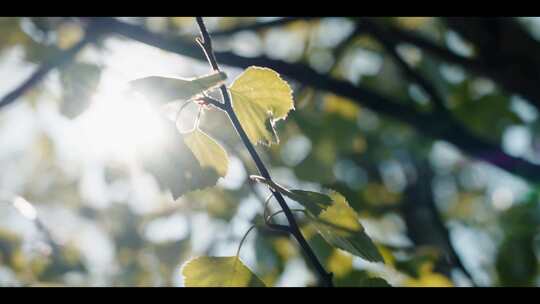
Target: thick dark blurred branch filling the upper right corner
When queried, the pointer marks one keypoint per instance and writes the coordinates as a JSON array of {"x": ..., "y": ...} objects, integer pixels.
[{"x": 515, "y": 68}]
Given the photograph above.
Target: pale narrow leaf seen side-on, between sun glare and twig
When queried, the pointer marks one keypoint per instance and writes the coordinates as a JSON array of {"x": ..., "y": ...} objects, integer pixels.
[{"x": 166, "y": 89}]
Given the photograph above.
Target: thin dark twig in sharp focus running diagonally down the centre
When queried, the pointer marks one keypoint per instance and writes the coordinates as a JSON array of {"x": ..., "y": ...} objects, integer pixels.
[{"x": 205, "y": 42}]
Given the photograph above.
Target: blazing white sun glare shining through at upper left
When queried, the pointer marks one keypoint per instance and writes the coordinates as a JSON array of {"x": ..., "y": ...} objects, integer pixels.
[{"x": 121, "y": 123}]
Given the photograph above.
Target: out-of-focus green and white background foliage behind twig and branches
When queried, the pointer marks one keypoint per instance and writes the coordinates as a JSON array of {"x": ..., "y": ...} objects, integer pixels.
[{"x": 111, "y": 224}]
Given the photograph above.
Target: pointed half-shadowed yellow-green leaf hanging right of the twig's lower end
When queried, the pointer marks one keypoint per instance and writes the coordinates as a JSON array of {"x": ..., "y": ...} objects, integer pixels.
[{"x": 339, "y": 225}]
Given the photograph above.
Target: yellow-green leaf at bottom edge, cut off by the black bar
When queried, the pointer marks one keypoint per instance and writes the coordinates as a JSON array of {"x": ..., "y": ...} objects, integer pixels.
[{"x": 219, "y": 272}]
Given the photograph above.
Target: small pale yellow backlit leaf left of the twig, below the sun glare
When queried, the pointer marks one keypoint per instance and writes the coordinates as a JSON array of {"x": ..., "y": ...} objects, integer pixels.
[{"x": 208, "y": 152}]
